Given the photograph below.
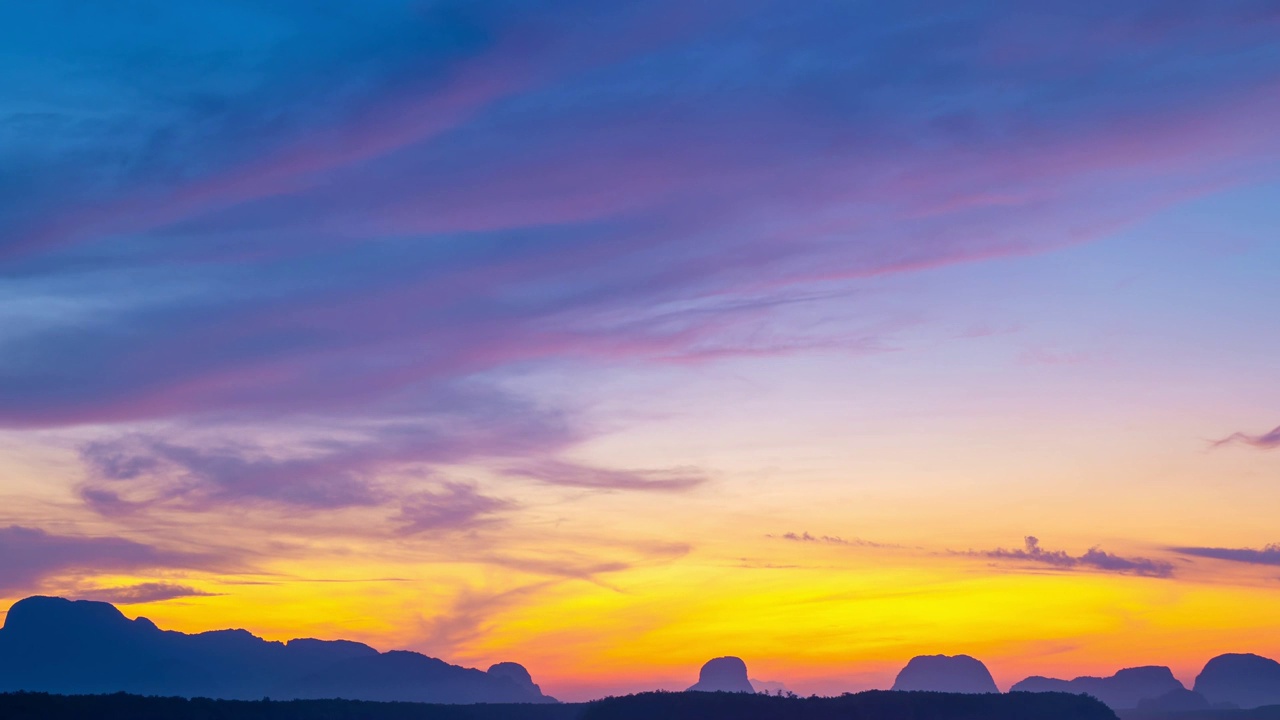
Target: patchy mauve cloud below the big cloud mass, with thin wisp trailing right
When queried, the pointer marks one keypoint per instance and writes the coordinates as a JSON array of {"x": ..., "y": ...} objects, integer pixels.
[{"x": 138, "y": 472}]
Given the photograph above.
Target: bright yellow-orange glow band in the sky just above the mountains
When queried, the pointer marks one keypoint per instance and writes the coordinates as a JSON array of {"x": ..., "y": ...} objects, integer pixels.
[{"x": 817, "y": 628}]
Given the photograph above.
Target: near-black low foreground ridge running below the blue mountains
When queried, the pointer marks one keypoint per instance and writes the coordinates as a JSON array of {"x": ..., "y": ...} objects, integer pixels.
[{"x": 872, "y": 705}]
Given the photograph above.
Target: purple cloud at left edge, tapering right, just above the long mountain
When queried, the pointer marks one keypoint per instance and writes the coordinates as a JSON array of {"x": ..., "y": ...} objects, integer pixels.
[{"x": 30, "y": 557}]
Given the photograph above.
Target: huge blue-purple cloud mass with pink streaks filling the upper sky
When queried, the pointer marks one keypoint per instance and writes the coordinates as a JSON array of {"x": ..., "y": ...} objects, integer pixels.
[{"x": 350, "y": 220}]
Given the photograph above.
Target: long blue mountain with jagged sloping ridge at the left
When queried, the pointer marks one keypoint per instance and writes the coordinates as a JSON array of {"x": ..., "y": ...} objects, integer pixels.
[{"x": 61, "y": 646}]
